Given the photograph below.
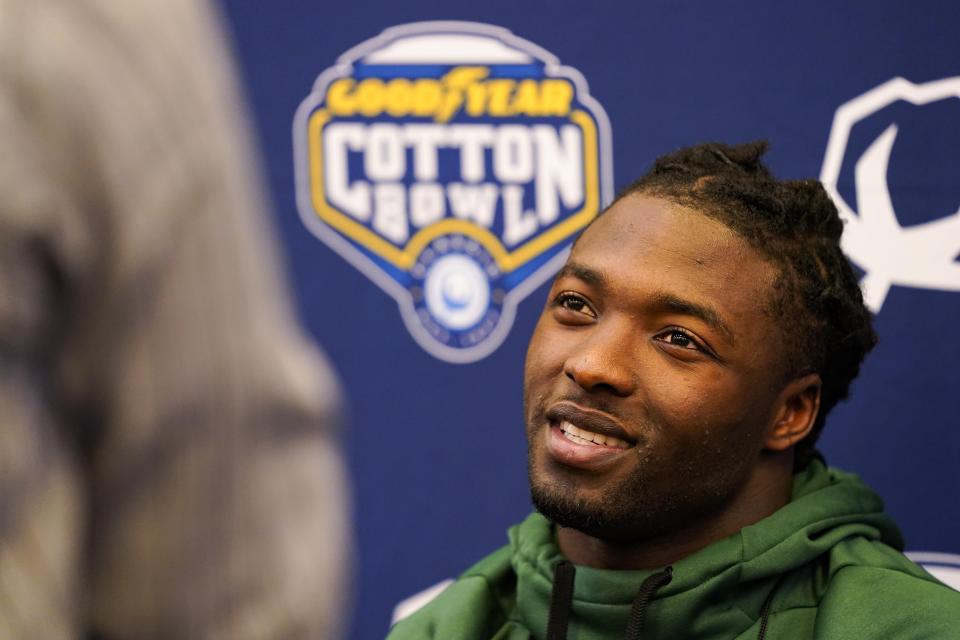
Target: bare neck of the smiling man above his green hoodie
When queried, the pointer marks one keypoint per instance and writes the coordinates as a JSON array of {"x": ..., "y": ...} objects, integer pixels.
[{"x": 765, "y": 492}]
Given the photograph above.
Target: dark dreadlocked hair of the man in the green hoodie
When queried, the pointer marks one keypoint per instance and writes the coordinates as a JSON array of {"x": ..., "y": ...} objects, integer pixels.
[{"x": 794, "y": 224}]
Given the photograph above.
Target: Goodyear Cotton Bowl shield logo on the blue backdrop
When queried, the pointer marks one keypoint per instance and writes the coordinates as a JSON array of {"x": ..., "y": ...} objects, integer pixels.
[{"x": 452, "y": 163}]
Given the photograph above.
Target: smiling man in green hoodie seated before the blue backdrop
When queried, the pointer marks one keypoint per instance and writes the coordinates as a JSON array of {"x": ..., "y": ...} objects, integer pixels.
[{"x": 690, "y": 349}]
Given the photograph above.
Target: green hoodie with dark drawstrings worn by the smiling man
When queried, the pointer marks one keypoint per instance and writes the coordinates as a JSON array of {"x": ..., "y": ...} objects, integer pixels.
[{"x": 827, "y": 565}]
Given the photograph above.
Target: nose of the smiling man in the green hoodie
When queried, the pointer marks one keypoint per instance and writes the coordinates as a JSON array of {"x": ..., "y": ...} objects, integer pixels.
[{"x": 603, "y": 362}]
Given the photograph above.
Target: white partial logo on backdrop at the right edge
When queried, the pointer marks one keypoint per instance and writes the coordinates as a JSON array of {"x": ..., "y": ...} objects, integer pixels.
[{"x": 922, "y": 255}]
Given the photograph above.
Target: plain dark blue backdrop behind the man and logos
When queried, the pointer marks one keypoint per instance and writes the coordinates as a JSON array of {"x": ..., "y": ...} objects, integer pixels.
[{"x": 437, "y": 449}]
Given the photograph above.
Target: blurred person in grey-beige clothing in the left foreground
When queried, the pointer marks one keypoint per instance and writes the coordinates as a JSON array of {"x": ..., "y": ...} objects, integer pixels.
[{"x": 168, "y": 458}]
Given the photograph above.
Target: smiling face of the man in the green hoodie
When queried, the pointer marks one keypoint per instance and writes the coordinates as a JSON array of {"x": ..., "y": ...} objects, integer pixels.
[{"x": 652, "y": 376}]
